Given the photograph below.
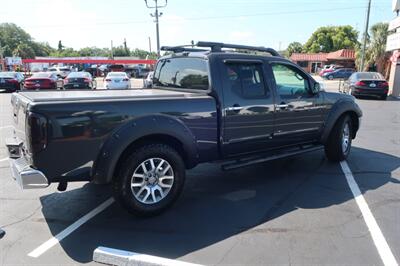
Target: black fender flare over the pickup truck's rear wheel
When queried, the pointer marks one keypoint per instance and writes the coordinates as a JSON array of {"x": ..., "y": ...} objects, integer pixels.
[{"x": 120, "y": 139}]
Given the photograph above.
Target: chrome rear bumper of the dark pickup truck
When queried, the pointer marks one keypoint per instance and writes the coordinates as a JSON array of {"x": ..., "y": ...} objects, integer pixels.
[{"x": 26, "y": 176}]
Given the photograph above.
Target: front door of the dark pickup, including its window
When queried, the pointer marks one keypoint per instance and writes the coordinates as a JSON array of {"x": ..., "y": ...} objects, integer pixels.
[{"x": 298, "y": 117}]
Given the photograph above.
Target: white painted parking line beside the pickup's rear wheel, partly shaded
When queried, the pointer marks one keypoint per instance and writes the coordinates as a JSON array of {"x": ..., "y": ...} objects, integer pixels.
[{"x": 63, "y": 234}]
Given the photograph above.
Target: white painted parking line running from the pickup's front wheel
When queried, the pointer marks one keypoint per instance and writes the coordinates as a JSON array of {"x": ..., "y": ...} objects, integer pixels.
[{"x": 376, "y": 233}]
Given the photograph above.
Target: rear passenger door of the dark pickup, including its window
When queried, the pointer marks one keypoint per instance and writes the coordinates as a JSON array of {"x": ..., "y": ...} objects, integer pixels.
[{"x": 248, "y": 109}]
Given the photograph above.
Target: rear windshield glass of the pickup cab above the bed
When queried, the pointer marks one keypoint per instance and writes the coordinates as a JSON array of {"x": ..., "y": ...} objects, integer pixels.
[{"x": 182, "y": 73}]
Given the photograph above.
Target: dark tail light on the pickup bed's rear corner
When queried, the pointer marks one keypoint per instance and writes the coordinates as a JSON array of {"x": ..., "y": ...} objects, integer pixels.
[{"x": 36, "y": 132}]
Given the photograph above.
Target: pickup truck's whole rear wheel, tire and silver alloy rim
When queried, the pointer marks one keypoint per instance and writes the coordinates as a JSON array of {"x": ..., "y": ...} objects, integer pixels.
[{"x": 150, "y": 180}]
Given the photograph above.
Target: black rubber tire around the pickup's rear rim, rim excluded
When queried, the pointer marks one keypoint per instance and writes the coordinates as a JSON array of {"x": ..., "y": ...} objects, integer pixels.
[{"x": 123, "y": 193}]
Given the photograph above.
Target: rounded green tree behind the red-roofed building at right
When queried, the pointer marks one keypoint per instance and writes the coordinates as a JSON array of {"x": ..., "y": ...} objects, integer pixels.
[{"x": 332, "y": 38}]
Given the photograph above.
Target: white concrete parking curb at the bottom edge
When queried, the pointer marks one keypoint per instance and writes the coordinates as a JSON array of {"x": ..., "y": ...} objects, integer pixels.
[{"x": 118, "y": 257}]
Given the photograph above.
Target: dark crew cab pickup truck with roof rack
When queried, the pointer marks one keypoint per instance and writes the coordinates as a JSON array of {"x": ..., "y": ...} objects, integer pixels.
[{"x": 231, "y": 104}]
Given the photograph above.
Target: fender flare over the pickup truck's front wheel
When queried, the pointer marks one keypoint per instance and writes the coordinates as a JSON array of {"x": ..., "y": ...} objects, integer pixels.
[{"x": 337, "y": 110}]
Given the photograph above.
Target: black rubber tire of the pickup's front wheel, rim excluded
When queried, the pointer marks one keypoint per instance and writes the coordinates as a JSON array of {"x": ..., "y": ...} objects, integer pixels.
[{"x": 333, "y": 147}]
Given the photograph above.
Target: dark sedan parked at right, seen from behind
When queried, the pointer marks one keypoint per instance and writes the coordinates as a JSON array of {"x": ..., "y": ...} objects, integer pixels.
[{"x": 367, "y": 84}]
